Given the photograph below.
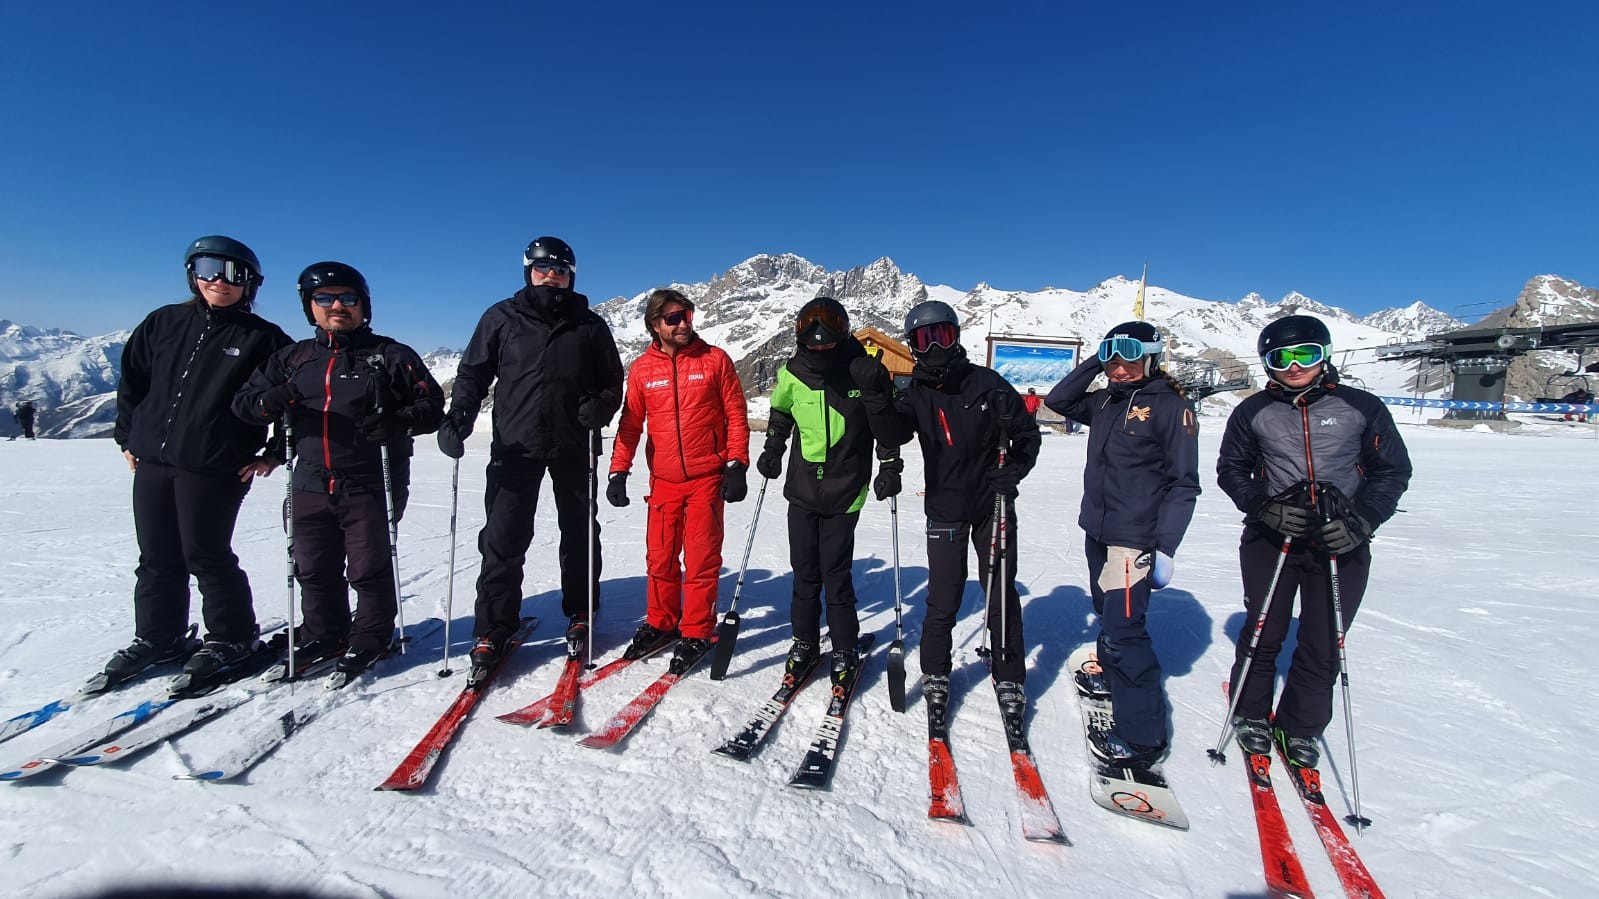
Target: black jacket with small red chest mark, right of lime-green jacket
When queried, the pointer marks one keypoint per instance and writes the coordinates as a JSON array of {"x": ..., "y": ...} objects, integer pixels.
[{"x": 960, "y": 420}]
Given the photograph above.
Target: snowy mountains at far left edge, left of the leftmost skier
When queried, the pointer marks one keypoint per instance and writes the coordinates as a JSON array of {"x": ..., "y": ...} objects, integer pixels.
[{"x": 73, "y": 380}]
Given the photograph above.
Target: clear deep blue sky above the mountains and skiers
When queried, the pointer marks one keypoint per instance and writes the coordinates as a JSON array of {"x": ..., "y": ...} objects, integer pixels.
[{"x": 1360, "y": 154}]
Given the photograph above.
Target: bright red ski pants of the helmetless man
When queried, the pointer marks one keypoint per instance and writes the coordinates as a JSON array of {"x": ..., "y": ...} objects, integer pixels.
[{"x": 685, "y": 519}]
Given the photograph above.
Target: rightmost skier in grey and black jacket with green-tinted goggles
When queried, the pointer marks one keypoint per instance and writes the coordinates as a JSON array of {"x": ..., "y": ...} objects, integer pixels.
[{"x": 1320, "y": 466}]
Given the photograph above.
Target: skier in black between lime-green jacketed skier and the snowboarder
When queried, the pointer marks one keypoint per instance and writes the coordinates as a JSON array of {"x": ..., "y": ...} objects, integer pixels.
[{"x": 963, "y": 415}]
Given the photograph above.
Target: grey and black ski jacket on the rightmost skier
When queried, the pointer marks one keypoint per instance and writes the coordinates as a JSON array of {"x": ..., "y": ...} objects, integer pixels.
[{"x": 1331, "y": 433}]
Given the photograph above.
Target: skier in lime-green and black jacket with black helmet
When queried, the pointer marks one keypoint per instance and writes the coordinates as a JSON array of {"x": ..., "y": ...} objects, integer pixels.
[{"x": 818, "y": 407}]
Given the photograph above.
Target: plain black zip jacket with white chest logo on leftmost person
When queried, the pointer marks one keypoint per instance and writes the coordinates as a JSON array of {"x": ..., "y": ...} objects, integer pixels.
[{"x": 180, "y": 372}]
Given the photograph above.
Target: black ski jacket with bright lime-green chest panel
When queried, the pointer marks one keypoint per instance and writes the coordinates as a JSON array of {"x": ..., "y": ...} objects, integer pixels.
[{"x": 818, "y": 406}]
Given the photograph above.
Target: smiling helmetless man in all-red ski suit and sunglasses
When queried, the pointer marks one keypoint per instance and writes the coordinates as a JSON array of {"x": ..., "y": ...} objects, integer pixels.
[{"x": 687, "y": 398}]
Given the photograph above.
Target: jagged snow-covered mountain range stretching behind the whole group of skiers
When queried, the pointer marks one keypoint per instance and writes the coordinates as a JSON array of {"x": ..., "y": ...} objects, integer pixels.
[{"x": 748, "y": 311}]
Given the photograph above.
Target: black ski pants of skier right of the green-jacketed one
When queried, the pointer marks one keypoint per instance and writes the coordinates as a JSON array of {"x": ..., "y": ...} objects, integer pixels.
[{"x": 947, "y": 553}]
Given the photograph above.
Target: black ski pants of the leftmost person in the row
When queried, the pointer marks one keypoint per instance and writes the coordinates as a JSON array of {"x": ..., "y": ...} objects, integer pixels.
[{"x": 185, "y": 525}]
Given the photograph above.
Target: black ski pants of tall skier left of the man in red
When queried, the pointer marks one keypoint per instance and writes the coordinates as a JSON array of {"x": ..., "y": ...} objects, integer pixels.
[{"x": 512, "y": 500}]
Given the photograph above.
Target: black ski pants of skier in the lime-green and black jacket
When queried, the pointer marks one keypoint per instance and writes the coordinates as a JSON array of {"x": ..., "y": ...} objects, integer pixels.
[{"x": 823, "y": 554}]
